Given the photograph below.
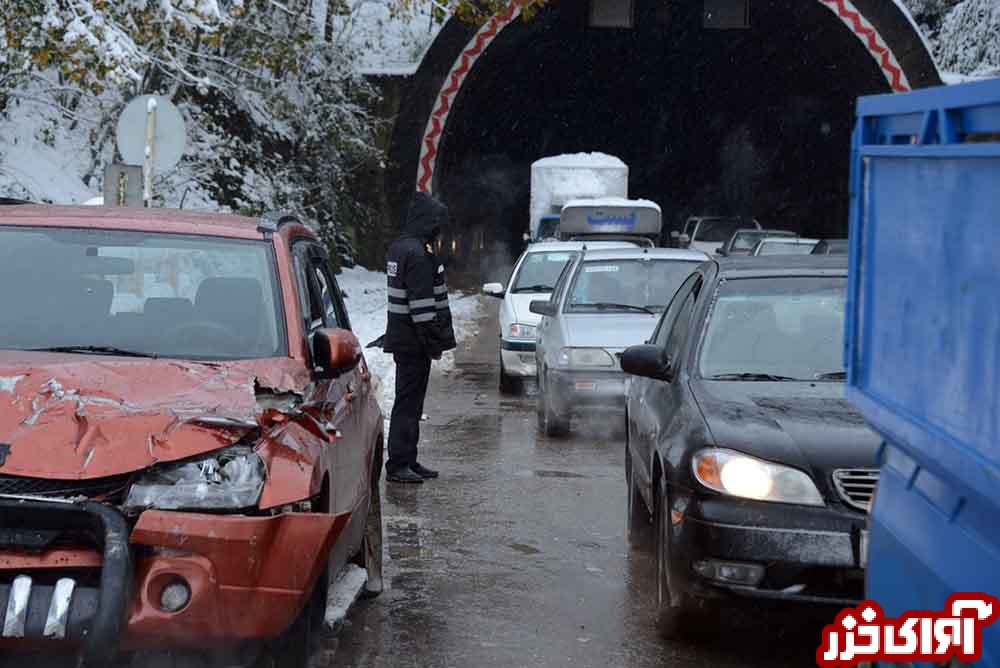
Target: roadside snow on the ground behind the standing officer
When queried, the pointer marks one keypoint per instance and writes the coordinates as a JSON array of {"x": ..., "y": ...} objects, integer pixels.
[{"x": 366, "y": 305}]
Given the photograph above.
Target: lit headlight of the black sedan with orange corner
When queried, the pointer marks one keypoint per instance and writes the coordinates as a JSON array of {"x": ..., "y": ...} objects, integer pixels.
[{"x": 735, "y": 474}]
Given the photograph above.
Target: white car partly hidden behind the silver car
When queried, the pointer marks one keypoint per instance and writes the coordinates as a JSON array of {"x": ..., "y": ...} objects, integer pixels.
[{"x": 534, "y": 277}]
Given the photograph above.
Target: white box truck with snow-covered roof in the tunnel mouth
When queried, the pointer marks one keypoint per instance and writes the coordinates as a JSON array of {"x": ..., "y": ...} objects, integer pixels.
[{"x": 558, "y": 180}]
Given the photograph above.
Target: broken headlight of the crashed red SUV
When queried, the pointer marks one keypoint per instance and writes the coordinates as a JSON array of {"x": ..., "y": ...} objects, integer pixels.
[{"x": 228, "y": 479}]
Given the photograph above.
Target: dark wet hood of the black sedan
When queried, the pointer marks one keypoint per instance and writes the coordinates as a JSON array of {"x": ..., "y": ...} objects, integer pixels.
[{"x": 806, "y": 425}]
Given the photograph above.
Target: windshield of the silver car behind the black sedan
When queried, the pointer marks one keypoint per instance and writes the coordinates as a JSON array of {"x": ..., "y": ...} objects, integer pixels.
[{"x": 627, "y": 285}]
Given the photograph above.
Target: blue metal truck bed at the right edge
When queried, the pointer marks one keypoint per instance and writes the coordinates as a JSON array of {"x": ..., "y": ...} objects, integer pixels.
[{"x": 923, "y": 341}]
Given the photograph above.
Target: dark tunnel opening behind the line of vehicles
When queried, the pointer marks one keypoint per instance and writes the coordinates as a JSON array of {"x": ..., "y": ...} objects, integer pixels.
[{"x": 752, "y": 122}]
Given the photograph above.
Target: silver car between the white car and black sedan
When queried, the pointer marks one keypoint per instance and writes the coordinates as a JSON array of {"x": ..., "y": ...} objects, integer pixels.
[{"x": 606, "y": 301}]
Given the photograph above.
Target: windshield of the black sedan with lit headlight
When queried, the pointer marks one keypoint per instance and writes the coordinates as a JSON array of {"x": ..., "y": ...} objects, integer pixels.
[{"x": 784, "y": 327}]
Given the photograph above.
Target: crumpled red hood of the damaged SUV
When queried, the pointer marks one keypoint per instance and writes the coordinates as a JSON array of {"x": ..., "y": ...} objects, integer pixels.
[{"x": 79, "y": 417}]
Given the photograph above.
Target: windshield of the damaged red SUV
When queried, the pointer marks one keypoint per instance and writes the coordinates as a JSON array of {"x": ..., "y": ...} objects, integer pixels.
[{"x": 140, "y": 293}]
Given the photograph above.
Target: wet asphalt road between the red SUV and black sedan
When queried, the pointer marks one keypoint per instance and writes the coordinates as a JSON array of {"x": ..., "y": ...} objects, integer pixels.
[{"x": 517, "y": 556}]
